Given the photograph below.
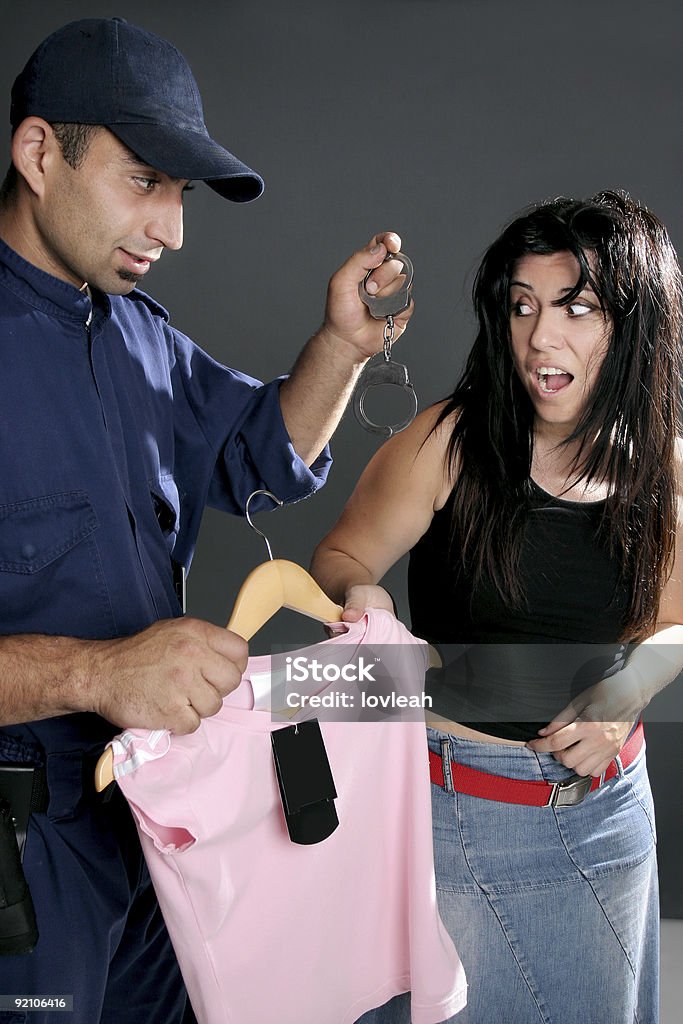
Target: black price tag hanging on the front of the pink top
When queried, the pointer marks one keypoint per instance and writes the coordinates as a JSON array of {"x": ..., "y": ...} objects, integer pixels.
[{"x": 307, "y": 786}]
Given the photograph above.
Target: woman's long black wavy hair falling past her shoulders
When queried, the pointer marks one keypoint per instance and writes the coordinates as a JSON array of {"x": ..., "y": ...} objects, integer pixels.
[{"x": 627, "y": 434}]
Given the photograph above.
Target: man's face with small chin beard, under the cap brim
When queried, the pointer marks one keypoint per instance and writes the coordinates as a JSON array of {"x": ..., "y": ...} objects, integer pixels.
[{"x": 108, "y": 221}]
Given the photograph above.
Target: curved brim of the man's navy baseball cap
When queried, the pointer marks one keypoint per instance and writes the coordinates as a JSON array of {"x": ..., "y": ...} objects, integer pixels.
[{"x": 182, "y": 153}]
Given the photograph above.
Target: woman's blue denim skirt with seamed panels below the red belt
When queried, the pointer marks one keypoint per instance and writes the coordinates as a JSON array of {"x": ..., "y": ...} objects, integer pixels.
[{"x": 554, "y": 912}]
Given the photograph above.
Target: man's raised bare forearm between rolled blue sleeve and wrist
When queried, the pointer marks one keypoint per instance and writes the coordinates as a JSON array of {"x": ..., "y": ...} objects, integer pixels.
[{"x": 315, "y": 397}]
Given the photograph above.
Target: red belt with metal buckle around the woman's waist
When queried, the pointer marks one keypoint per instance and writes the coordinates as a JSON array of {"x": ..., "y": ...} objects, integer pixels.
[{"x": 514, "y": 791}]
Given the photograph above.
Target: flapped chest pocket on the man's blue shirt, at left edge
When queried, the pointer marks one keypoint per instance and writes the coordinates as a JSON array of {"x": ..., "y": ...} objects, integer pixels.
[{"x": 52, "y": 579}]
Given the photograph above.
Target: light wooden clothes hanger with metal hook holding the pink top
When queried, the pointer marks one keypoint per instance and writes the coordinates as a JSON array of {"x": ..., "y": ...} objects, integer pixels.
[{"x": 272, "y": 586}]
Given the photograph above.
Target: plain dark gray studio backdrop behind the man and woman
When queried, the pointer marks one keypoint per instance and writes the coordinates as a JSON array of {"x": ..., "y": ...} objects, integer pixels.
[{"x": 438, "y": 118}]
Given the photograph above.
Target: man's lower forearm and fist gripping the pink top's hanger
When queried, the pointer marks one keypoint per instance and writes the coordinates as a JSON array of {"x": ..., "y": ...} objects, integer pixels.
[{"x": 169, "y": 676}]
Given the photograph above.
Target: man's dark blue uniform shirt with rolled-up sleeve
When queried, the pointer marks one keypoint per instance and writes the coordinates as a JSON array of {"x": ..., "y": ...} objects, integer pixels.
[{"x": 116, "y": 431}]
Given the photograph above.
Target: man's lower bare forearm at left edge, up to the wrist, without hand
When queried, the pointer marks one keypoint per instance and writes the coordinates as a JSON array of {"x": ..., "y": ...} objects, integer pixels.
[{"x": 41, "y": 677}]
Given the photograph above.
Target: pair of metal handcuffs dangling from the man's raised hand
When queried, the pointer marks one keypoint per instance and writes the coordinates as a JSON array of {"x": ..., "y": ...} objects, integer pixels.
[{"x": 383, "y": 370}]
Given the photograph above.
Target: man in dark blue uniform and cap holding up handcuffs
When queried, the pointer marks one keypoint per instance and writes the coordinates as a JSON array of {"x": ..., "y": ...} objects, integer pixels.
[{"x": 117, "y": 431}]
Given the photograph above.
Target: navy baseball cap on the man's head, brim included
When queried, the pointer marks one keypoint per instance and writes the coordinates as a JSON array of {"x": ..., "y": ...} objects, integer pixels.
[{"x": 107, "y": 72}]
